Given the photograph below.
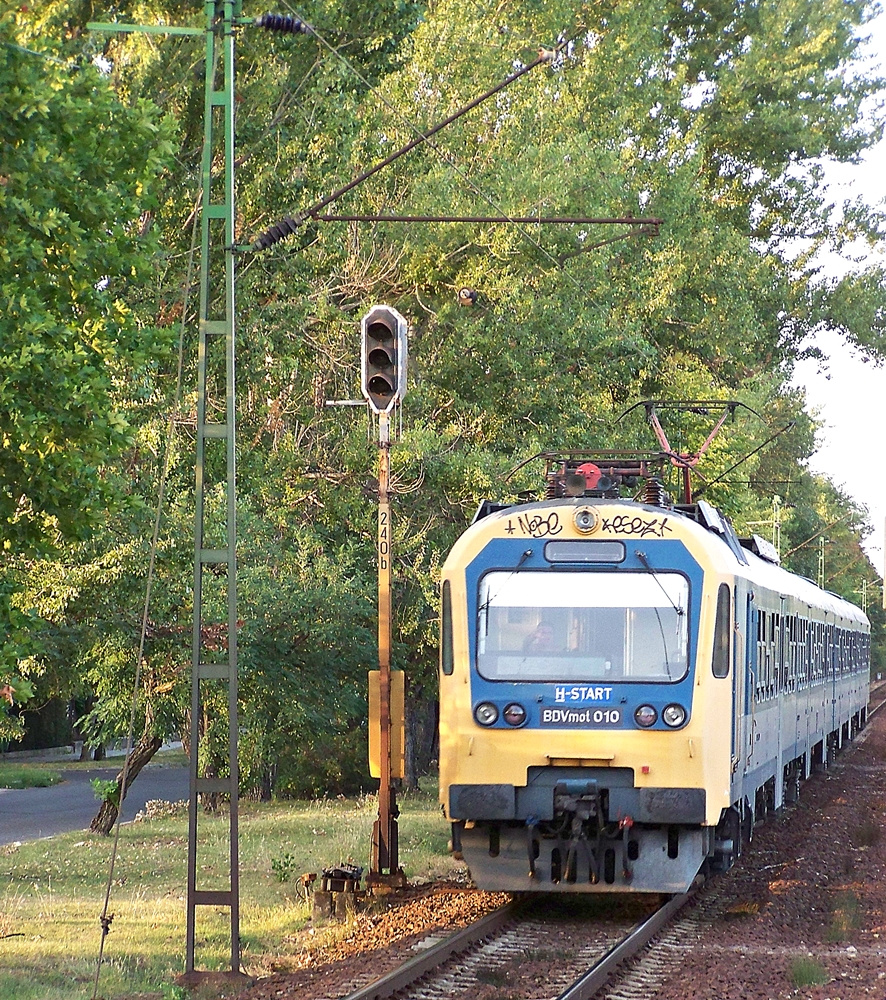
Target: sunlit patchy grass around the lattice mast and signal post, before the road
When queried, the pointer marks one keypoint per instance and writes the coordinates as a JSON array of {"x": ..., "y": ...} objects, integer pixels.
[{"x": 52, "y": 893}]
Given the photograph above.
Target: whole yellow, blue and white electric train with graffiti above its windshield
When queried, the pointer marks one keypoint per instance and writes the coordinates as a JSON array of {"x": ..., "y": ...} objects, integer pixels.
[{"x": 625, "y": 686}]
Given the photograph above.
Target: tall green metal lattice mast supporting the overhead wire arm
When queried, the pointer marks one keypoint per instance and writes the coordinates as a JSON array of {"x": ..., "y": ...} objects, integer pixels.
[{"x": 215, "y": 537}]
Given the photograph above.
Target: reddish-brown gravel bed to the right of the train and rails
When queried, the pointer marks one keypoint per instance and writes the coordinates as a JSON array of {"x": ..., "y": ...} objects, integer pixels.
[{"x": 807, "y": 900}]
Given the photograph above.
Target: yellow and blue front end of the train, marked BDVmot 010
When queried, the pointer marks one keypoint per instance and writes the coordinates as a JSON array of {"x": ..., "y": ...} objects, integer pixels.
[{"x": 605, "y": 766}]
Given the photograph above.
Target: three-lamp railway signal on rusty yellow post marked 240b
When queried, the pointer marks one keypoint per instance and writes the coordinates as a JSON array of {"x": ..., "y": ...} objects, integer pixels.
[{"x": 383, "y": 360}]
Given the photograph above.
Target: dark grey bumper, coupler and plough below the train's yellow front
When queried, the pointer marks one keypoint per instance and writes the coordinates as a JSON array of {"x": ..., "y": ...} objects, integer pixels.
[{"x": 582, "y": 830}]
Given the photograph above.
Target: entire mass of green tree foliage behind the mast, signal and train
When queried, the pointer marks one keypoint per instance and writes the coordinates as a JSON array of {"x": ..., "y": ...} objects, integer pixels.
[{"x": 714, "y": 118}]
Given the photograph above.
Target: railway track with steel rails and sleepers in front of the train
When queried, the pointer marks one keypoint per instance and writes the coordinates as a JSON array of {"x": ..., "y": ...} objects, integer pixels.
[{"x": 533, "y": 947}]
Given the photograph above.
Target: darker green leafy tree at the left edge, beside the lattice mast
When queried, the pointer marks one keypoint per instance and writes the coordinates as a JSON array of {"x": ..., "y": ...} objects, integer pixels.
[{"x": 77, "y": 171}]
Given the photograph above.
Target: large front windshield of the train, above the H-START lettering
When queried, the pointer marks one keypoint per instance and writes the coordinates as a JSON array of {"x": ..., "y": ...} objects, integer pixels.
[{"x": 583, "y": 626}]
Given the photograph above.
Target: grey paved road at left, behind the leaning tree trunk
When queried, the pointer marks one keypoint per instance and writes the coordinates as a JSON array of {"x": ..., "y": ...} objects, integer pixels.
[{"x": 32, "y": 813}]
